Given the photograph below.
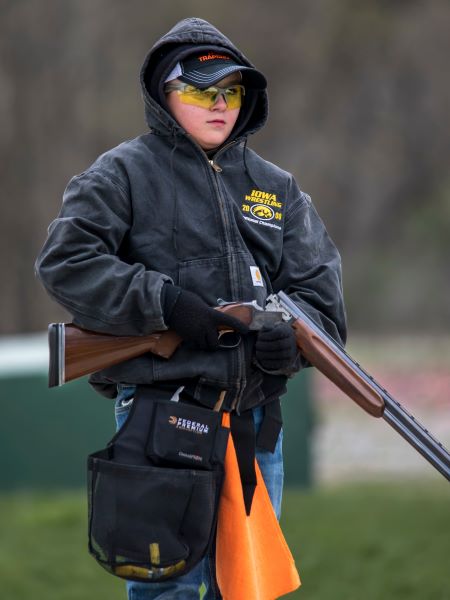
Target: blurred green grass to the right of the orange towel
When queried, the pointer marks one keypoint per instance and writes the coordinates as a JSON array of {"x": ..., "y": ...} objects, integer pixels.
[{"x": 375, "y": 541}]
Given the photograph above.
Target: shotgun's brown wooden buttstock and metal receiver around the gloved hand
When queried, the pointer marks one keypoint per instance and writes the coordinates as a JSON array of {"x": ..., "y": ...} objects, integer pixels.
[{"x": 75, "y": 352}]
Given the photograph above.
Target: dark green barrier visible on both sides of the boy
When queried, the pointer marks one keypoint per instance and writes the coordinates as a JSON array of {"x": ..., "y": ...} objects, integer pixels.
[{"x": 46, "y": 434}]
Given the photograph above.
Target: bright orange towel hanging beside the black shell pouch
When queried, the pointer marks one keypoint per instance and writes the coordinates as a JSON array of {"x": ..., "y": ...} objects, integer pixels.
[{"x": 252, "y": 556}]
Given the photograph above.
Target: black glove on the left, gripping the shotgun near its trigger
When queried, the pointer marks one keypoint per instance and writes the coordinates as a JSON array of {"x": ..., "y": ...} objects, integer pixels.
[{"x": 196, "y": 322}]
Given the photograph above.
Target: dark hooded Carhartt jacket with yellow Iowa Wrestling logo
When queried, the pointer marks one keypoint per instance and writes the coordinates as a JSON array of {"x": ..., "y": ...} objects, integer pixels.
[{"x": 157, "y": 209}]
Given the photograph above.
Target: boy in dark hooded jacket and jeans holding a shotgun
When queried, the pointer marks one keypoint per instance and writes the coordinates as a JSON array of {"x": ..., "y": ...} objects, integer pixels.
[{"x": 160, "y": 229}]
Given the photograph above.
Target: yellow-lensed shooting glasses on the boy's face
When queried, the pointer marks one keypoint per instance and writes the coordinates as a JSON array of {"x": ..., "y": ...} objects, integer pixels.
[{"x": 189, "y": 94}]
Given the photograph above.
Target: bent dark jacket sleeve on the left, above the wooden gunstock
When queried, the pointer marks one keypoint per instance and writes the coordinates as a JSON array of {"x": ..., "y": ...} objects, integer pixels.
[{"x": 80, "y": 264}]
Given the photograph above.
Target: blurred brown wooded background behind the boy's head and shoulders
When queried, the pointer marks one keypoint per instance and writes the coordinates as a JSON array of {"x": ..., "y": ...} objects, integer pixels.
[{"x": 358, "y": 112}]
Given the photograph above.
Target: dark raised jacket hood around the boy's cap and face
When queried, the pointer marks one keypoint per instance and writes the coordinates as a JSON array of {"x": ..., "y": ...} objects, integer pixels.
[{"x": 183, "y": 39}]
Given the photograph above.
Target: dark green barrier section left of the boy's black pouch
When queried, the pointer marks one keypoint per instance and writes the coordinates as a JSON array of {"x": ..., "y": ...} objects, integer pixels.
[{"x": 46, "y": 434}]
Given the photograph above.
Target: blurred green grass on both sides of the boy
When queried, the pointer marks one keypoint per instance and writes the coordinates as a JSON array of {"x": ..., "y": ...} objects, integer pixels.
[{"x": 389, "y": 540}]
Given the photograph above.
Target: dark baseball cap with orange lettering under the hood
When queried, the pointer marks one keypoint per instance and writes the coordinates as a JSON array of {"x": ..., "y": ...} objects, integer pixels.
[{"x": 203, "y": 69}]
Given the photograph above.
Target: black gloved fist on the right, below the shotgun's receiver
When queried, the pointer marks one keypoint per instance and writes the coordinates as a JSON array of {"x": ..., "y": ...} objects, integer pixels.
[{"x": 275, "y": 347}]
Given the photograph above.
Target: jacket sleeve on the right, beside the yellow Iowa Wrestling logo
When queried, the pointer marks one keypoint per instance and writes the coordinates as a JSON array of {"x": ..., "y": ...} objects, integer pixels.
[{"x": 310, "y": 270}]
